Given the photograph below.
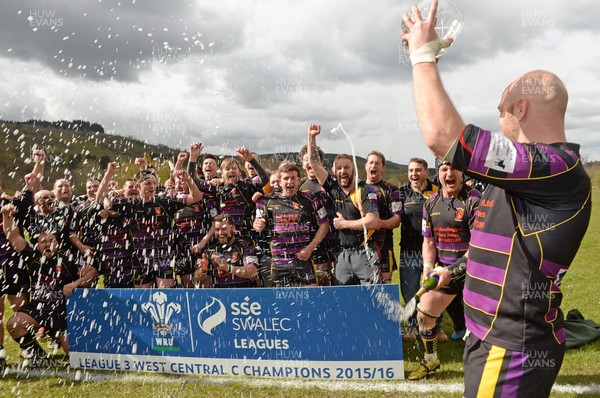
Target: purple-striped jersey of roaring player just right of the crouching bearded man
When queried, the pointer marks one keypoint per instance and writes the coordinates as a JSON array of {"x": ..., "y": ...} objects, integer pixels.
[{"x": 293, "y": 222}]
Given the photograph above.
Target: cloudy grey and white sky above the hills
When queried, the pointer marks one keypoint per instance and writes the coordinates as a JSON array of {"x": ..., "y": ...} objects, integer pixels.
[{"x": 257, "y": 72}]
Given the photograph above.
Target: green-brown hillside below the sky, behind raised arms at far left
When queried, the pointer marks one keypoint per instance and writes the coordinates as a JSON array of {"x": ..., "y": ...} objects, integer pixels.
[{"x": 74, "y": 150}]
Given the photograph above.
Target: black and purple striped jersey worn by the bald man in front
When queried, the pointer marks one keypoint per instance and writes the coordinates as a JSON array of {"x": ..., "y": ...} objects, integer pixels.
[{"x": 526, "y": 232}]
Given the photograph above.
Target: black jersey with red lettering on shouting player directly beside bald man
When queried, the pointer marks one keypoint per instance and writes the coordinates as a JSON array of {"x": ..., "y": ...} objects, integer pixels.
[{"x": 448, "y": 221}]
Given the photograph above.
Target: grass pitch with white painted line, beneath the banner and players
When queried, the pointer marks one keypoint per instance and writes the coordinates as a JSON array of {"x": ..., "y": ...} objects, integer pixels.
[{"x": 581, "y": 365}]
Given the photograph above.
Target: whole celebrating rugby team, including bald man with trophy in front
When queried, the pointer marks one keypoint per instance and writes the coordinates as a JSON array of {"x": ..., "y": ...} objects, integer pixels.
[{"x": 235, "y": 224}]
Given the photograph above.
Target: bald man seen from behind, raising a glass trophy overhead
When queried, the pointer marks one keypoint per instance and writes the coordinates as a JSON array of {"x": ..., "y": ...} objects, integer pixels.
[{"x": 527, "y": 229}]
